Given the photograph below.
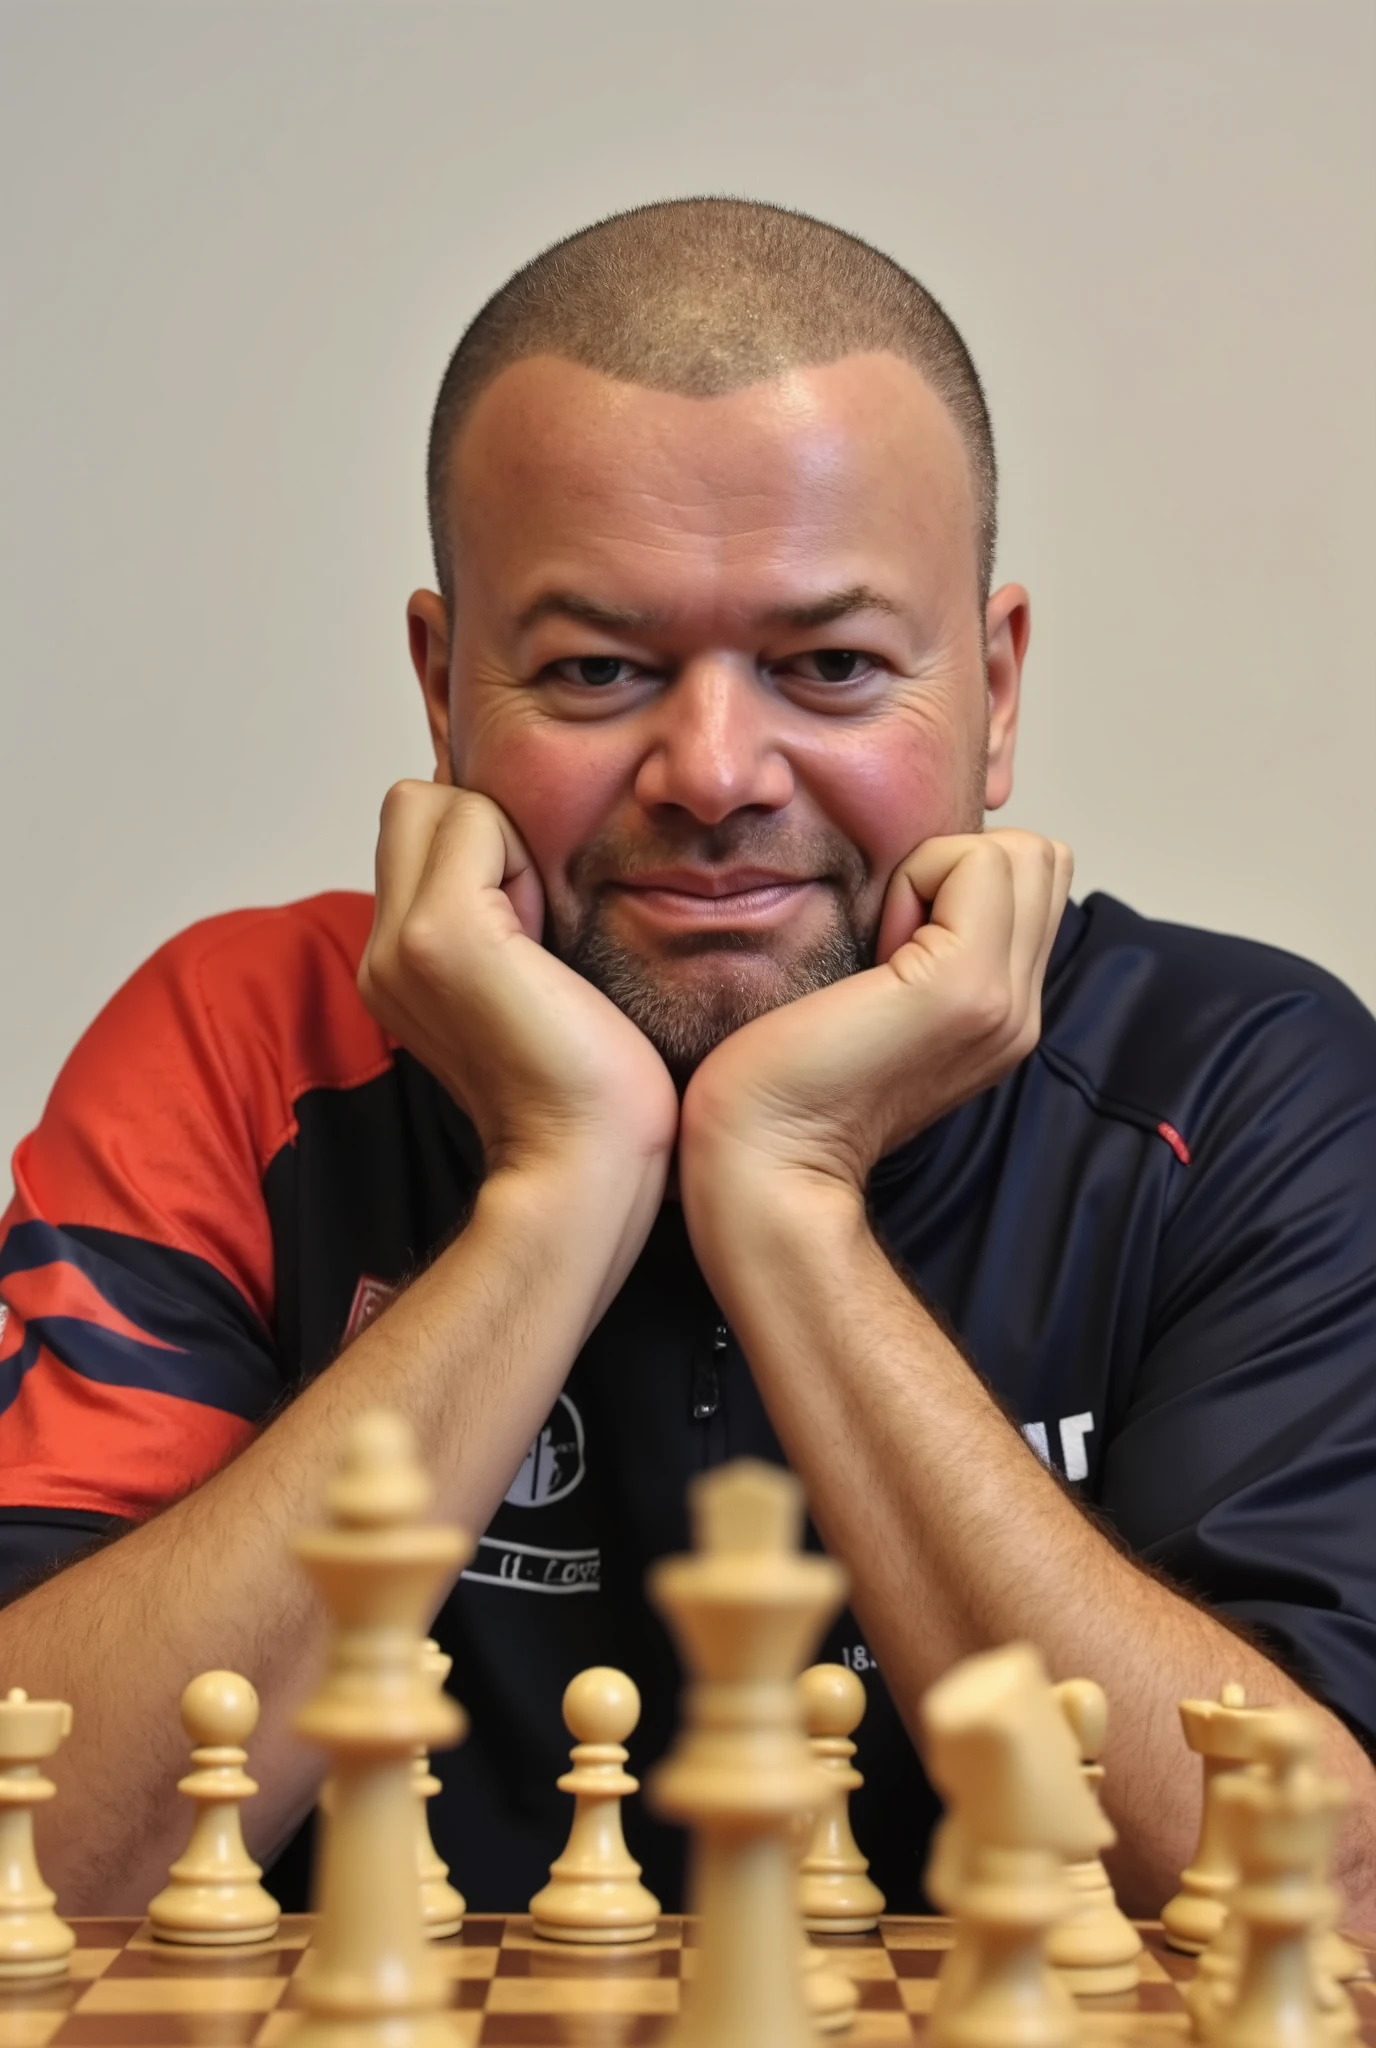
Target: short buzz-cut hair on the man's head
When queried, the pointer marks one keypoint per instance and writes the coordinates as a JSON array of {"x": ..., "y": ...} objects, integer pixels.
[{"x": 701, "y": 298}]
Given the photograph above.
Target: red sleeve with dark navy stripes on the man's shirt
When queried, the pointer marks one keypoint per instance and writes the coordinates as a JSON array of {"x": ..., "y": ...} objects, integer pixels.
[{"x": 136, "y": 1258}]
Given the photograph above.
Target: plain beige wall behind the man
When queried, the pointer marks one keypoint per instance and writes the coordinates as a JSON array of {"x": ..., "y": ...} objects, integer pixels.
[{"x": 239, "y": 243}]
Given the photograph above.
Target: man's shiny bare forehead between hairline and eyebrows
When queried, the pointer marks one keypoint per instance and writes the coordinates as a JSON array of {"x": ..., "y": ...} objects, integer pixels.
[{"x": 712, "y": 511}]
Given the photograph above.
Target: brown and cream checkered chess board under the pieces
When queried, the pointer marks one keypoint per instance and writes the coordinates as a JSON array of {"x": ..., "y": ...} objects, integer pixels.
[{"x": 130, "y": 1992}]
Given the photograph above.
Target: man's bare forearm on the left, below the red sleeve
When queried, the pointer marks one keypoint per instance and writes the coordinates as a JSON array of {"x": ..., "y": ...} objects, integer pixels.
[{"x": 474, "y": 1353}]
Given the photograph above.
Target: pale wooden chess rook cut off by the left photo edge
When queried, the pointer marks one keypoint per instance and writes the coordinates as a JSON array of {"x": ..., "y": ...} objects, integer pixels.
[{"x": 34, "y": 1943}]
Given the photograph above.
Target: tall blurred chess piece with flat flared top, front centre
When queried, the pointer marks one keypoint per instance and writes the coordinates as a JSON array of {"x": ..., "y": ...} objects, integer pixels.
[{"x": 746, "y": 1609}]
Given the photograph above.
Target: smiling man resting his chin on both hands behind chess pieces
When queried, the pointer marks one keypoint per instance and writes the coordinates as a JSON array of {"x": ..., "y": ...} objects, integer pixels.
[{"x": 718, "y": 1086}]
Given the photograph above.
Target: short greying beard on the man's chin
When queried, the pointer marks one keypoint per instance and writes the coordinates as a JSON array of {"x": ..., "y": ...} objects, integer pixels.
[{"x": 687, "y": 1025}]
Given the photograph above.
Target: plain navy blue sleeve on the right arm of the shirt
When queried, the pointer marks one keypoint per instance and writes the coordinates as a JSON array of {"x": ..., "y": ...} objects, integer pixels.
[{"x": 1246, "y": 1459}]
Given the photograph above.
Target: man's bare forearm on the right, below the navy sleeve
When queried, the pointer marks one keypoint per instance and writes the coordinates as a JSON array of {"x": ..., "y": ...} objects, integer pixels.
[{"x": 957, "y": 1537}]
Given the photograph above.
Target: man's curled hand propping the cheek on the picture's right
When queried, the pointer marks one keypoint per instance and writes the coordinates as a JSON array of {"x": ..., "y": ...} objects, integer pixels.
[{"x": 828, "y": 1084}]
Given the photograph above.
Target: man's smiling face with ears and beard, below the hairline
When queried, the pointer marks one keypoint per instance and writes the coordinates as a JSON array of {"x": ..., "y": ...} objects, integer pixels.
[{"x": 720, "y": 663}]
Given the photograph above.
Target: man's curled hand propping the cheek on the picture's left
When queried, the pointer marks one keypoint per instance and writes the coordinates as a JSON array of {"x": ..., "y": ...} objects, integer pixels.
[{"x": 544, "y": 1064}]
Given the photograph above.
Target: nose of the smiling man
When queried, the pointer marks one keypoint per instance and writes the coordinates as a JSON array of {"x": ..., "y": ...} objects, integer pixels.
[{"x": 716, "y": 744}]
